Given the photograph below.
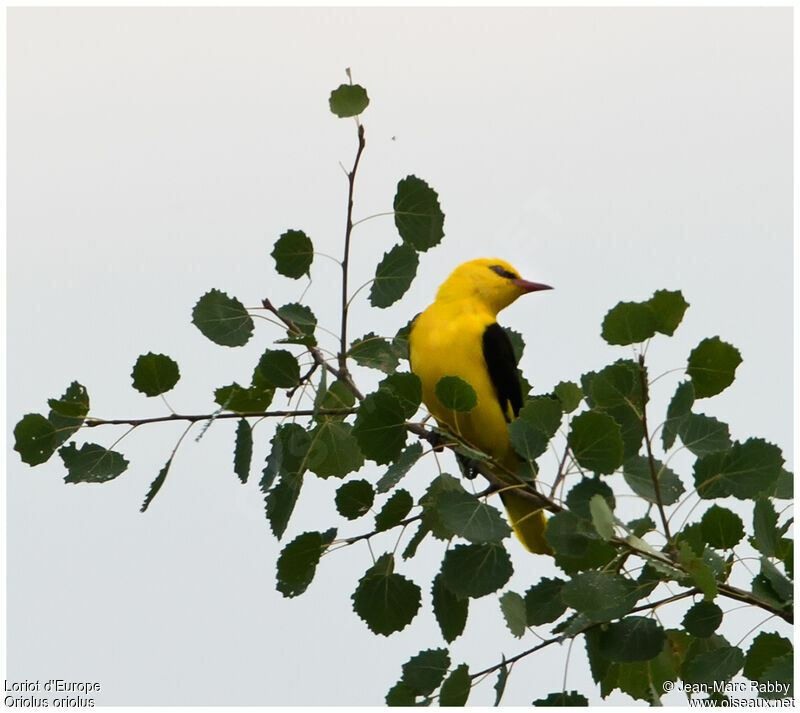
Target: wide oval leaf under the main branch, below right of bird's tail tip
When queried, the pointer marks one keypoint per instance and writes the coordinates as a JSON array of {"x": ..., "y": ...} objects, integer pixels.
[{"x": 601, "y": 596}]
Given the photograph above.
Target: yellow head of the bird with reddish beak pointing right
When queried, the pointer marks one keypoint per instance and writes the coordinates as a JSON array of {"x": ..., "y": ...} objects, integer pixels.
[{"x": 493, "y": 282}]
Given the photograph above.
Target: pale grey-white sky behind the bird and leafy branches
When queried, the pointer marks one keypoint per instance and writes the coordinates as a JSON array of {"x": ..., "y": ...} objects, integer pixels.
[{"x": 156, "y": 153}]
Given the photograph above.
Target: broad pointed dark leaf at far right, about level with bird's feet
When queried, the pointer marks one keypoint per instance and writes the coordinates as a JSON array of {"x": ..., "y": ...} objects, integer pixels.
[{"x": 745, "y": 471}]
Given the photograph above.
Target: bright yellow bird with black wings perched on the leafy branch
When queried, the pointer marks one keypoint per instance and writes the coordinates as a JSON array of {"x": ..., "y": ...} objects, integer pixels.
[{"x": 458, "y": 335}]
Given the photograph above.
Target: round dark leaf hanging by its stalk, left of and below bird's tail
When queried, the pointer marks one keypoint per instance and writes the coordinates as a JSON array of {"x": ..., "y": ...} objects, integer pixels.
[{"x": 386, "y": 601}]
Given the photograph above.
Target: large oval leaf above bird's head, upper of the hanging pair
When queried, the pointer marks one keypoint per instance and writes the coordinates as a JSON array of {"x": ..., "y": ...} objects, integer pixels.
[{"x": 417, "y": 214}]
